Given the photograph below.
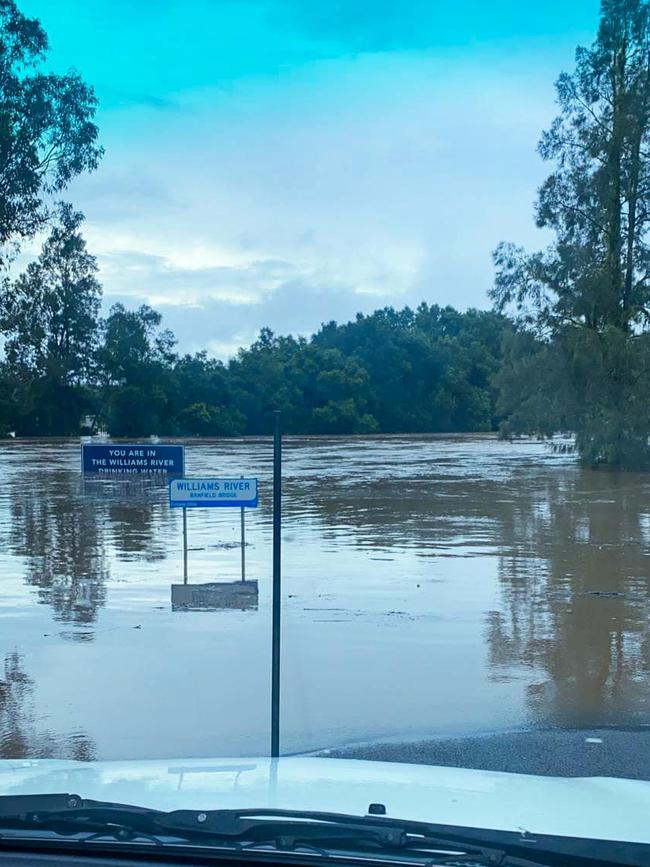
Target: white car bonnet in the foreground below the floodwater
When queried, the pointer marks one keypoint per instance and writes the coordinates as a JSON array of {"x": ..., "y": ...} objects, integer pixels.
[{"x": 596, "y": 807}]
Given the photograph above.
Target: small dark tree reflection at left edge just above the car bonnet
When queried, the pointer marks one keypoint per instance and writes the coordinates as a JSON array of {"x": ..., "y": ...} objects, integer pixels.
[{"x": 20, "y": 736}]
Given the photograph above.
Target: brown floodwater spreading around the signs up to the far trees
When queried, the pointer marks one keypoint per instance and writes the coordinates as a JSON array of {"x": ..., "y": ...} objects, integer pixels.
[{"x": 431, "y": 586}]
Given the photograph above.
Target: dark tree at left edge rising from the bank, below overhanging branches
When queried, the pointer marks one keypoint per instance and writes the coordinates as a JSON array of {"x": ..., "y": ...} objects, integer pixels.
[{"x": 49, "y": 318}]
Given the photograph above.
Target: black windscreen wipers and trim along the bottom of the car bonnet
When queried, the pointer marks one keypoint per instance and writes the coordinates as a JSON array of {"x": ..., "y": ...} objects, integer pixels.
[{"x": 329, "y": 834}]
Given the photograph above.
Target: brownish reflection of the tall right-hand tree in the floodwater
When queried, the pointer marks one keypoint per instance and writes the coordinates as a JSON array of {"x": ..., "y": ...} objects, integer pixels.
[{"x": 575, "y": 577}]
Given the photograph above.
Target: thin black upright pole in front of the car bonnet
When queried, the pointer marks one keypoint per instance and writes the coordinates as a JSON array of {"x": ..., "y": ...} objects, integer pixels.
[{"x": 277, "y": 595}]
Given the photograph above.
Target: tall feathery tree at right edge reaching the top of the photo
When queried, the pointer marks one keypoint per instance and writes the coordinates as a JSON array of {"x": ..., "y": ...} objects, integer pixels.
[{"x": 586, "y": 298}]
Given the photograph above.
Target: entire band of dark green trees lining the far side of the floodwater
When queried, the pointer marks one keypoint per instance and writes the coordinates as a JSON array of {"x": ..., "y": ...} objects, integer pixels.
[{"x": 565, "y": 347}]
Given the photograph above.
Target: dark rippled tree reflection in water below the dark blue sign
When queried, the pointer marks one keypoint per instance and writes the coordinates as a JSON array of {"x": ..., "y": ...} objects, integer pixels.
[{"x": 65, "y": 529}]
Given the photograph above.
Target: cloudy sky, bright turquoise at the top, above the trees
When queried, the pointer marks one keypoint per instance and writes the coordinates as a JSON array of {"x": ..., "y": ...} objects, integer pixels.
[{"x": 284, "y": 163}]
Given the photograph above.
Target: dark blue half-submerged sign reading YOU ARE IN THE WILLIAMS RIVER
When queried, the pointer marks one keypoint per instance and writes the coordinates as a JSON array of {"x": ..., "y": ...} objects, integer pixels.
[{"x": 136, "y": 459}]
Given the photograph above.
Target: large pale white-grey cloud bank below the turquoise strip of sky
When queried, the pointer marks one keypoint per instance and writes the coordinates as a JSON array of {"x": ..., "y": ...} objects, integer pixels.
[{"x": 349, "y": 186}]
